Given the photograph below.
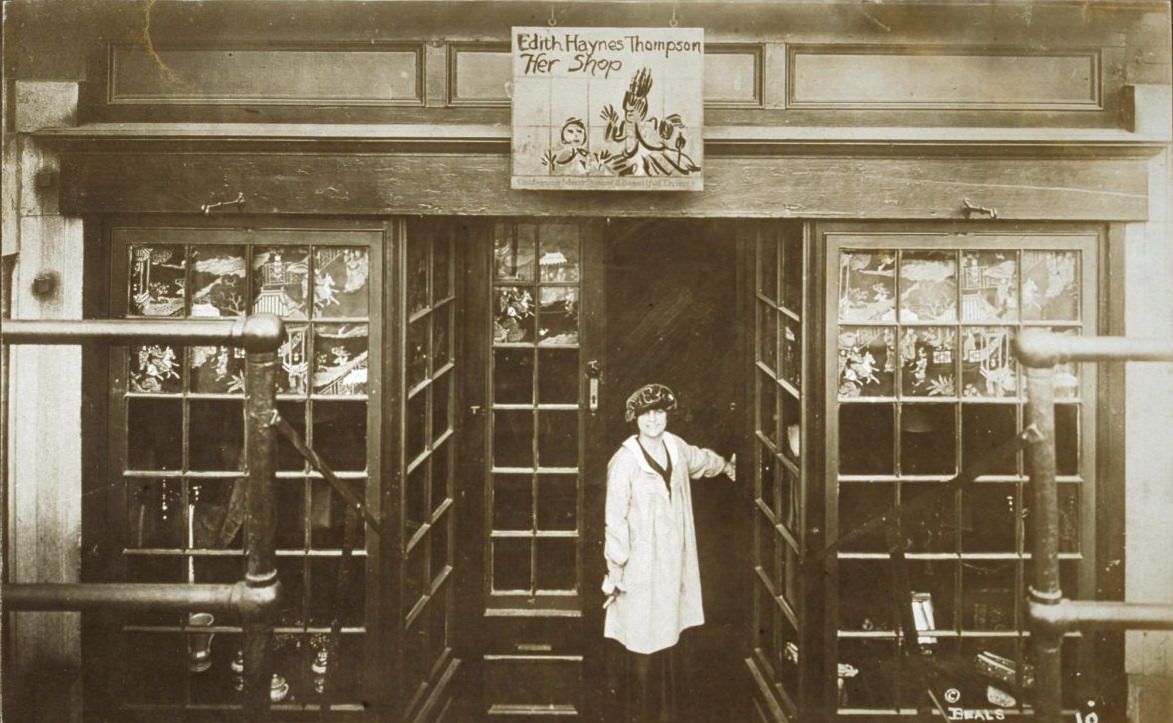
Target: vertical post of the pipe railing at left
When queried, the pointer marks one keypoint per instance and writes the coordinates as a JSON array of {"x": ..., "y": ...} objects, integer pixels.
[{"x": 261, "y": 457}]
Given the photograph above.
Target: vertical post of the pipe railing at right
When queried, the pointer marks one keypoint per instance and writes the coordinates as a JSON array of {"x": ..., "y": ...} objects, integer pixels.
[{"x": 1045, "y": 590}]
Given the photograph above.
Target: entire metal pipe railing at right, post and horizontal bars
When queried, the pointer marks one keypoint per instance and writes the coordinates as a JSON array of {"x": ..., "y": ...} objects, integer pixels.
[{"x": 1050, "y": 616}]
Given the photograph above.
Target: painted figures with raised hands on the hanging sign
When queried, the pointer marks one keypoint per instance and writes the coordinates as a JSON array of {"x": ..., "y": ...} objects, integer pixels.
[{"x": 636, "y": 145}]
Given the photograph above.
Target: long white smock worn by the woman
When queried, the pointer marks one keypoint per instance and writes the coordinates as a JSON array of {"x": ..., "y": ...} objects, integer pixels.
[{"x": 652, "y": 545}]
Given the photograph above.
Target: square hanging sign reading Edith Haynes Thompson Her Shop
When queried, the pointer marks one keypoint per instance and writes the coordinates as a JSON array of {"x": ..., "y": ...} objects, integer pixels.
[{"x": 608, "y": 109}]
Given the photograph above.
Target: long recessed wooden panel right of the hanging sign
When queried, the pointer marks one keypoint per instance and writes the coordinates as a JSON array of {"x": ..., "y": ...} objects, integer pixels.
[{"x": 872, "y": 77}]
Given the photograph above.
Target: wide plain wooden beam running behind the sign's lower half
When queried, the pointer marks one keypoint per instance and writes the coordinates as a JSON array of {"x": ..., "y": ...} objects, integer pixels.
[{"x": 478, "y": 184}]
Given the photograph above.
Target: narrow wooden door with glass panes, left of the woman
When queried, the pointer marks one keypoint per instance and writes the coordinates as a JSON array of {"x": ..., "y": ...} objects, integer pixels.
[{"x": 530, "y": 328}]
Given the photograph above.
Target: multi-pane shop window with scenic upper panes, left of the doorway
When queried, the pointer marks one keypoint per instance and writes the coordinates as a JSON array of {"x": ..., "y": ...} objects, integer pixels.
[{"x": 181, "y": 429}]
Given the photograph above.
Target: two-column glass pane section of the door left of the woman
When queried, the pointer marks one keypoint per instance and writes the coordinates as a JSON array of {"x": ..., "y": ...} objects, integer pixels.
[{"x": 535, "y": 391}]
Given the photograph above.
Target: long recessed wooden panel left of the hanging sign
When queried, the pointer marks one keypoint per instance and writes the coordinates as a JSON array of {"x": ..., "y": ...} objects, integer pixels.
[{"x": 377, "y": 76}]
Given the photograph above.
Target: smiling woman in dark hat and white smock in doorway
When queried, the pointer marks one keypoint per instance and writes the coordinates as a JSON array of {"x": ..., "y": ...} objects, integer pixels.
[{"x": 653, "y": 585}]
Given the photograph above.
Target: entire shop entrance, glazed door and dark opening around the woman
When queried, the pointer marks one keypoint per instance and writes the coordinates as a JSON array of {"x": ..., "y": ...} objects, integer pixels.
[{"x": 548, "y": 305}]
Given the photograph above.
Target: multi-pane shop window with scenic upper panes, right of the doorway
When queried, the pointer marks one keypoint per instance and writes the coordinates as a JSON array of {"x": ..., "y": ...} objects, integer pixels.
[{"x": 927, "y": 386}]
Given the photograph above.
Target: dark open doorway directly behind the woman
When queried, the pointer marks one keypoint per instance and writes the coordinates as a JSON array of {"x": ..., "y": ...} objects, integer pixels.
[{"x": 673, "y": 317}]
